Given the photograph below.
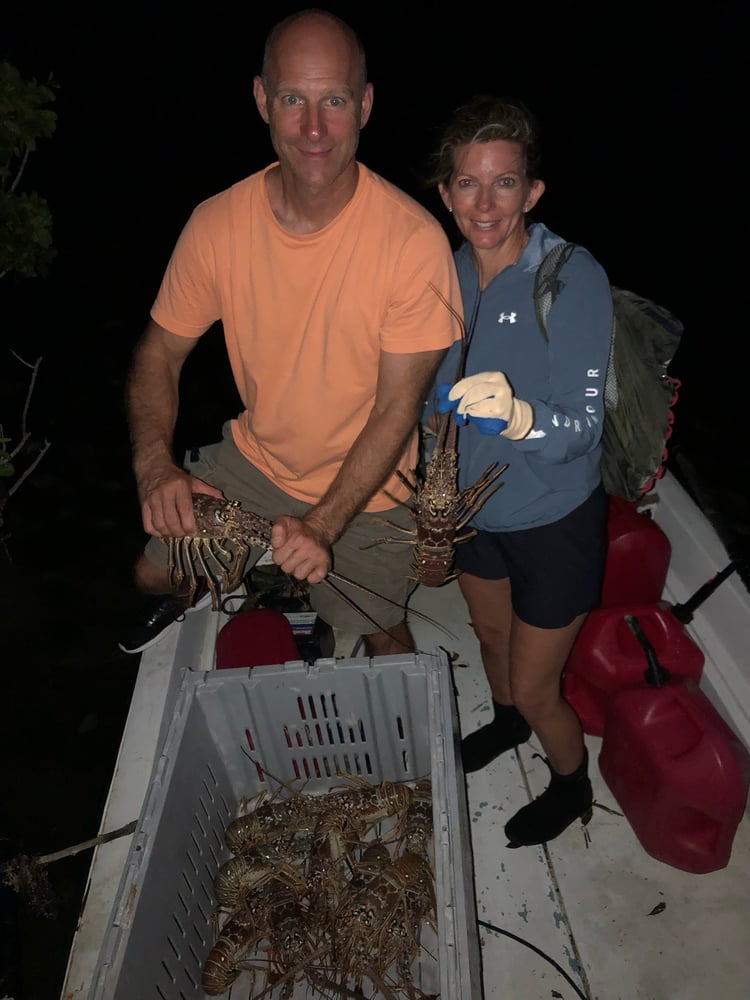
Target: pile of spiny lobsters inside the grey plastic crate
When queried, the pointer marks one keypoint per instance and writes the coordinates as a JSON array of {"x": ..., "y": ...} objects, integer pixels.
[{"x": 332, "y": 889}]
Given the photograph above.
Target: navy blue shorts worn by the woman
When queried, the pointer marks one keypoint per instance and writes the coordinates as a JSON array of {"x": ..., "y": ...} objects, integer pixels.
[{"x": 555, "y": 571}]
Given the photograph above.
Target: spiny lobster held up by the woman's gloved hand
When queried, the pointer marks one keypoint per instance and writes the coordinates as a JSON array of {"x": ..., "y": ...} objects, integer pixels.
[{"x": 442, "y": 511}]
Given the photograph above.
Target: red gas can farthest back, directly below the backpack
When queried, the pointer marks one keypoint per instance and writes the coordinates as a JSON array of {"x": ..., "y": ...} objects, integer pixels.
[{"x": 638, "y": 555}]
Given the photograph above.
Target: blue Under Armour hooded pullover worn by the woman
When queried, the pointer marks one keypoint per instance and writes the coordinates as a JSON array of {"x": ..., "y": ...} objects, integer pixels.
[{"x": 556, "y": 466}]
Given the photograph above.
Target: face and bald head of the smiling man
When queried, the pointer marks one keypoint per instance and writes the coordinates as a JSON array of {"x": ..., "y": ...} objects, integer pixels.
[{"x": 314, "y": 104}]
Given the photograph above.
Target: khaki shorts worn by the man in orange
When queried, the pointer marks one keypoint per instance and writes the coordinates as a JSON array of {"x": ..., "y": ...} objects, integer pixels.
[{"x": 385, "y": 569}]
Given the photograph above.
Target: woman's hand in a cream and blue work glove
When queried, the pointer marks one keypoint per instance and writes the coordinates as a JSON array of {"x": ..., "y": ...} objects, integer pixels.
[{"x": 487, "y": 400}]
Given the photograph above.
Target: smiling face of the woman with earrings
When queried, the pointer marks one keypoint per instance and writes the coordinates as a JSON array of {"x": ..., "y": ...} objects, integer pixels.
[{"x": 489, "y": 193}]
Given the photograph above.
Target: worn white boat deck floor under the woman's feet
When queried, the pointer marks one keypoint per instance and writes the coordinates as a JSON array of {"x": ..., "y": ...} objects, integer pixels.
[{"x": 598, "y": 909}]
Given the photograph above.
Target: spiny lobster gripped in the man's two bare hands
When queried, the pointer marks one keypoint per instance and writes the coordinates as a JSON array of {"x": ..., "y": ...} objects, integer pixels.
[{"x": 218, "y": 550}]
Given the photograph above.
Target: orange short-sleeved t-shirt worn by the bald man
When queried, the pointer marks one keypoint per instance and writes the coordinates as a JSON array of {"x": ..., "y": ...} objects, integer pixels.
[{"x": 306, "y": 316}]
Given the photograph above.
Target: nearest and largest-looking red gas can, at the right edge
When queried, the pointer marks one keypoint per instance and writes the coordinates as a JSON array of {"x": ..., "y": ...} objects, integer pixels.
[{"x": 678, "y": 771}]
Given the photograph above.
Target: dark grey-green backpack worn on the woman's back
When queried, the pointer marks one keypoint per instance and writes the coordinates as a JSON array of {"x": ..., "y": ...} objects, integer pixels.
[{"x": 639, "y": 394}]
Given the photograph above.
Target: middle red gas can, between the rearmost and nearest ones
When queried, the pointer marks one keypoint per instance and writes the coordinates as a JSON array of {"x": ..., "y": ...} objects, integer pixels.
[{"x": 606, "y": 656}]
